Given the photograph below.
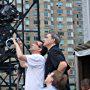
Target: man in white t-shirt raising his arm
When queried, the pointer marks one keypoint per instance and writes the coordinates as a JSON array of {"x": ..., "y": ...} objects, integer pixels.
[{"x": 34, "y": 63}]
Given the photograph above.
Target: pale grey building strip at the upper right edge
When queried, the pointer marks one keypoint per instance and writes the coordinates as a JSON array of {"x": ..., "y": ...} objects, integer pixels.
[{"x": 86, "y": 19}]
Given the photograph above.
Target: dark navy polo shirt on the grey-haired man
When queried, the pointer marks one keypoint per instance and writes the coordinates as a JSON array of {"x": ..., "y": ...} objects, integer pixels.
[{"x": 55, "y": 56}]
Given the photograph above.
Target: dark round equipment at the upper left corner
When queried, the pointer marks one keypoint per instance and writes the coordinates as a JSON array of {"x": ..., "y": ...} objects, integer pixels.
[{"x": 7, "y": 13}]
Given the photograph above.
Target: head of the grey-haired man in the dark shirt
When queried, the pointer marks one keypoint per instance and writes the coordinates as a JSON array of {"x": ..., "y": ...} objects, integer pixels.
[{"x": 51, "y": 39}]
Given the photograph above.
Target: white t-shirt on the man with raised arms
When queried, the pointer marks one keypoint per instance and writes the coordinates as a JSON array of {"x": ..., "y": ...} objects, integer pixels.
[{"x": 35, "y": 72}]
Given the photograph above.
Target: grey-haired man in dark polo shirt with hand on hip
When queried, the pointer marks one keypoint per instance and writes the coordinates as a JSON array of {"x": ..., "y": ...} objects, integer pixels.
[{"x": 55, "y": 59}]
